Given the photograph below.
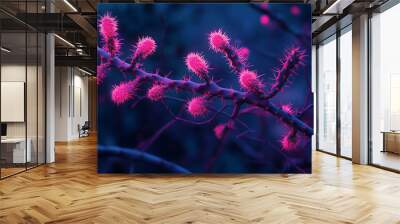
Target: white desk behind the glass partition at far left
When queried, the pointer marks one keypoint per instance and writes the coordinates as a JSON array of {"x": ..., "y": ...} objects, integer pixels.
[{"x": 16, "y": 147}]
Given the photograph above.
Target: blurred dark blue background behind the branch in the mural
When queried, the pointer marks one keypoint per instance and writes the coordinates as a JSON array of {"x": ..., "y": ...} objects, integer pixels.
[{"x": 182, "y": 28}]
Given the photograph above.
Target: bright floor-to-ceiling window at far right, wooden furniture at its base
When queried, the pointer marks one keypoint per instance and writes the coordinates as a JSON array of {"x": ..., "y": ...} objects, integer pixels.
[{"x": 385, "y": 89}]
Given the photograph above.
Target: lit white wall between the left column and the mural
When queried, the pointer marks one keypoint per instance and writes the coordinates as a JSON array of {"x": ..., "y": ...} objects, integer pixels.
[{"x": 71, "y": 102}]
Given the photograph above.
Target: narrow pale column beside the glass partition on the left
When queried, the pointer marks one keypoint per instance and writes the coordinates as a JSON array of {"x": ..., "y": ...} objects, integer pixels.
[{"x": 50, "y": 92}]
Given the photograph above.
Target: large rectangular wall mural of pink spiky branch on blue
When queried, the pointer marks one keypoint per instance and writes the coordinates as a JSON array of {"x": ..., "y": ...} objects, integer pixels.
[{"x": 204, "y": 88}]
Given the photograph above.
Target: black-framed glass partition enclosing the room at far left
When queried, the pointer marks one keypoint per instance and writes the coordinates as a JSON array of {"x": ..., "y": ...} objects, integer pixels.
[{"x": 22, "y": 78}]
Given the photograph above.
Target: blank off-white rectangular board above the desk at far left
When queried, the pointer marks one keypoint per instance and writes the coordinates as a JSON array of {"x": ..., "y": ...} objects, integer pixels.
[{"x": 12, "y": 101}]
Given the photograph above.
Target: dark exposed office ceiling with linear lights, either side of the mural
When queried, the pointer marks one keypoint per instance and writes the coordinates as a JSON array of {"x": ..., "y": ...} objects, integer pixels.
[{"x": 76, "y": 22}]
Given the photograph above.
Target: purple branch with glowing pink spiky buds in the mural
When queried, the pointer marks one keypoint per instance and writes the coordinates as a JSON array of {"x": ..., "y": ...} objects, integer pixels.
[{"x": 253, "y": 95}]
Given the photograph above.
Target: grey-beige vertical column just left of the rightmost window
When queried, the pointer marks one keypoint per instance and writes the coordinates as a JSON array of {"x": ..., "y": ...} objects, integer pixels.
[{"x": 360, "y": 90}]
